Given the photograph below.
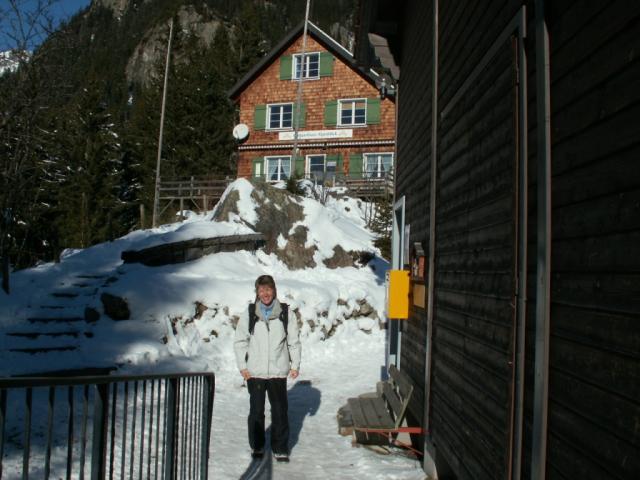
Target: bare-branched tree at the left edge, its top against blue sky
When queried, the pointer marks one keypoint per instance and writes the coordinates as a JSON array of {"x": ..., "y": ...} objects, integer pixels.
[{"x": 24, "y": 24}]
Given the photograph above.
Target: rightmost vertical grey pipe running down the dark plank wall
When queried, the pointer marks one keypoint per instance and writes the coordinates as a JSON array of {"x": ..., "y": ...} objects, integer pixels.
[{"x": 543, "y": 280}]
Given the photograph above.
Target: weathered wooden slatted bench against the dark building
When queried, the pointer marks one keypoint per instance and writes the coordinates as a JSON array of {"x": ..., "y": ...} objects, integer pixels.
[{"x": 378, "y": 420}]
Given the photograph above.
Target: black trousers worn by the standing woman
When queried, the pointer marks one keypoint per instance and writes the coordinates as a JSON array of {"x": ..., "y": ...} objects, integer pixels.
[{"x": 276, "y": 390}]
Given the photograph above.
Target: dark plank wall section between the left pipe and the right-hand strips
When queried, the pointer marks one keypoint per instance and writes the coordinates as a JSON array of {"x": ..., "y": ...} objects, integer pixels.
[{"x": 475, "y": 214}]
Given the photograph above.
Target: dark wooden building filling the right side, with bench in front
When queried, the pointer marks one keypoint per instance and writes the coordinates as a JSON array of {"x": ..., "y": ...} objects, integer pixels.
[{"x": 517, "y": 172}]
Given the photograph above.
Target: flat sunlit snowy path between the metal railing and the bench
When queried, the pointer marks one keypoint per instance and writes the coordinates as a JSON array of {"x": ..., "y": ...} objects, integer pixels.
[{"x": 346, "y": 365}]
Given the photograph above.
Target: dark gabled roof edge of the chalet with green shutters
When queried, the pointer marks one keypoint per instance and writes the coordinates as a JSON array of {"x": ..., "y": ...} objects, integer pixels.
[{"x": 321, "y": 37}]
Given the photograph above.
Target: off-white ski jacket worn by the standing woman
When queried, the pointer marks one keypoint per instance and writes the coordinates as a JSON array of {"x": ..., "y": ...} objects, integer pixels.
[{"x": 267, "y": 353}]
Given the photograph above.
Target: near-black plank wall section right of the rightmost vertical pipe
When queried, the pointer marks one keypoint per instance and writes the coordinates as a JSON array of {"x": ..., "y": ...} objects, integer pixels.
[{"x": 594, "y": 392}]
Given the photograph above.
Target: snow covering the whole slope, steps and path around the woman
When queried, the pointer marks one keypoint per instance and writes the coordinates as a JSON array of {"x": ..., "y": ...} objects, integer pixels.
[{"x": 342, "y": 351}]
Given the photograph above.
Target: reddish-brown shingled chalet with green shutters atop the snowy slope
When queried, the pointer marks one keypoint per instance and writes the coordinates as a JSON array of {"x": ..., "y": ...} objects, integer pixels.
[{"x": 345, "y": 129}]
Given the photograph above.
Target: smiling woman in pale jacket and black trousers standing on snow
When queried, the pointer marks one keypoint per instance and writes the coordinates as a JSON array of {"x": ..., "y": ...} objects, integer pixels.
[{"x": 267, "y": 348}]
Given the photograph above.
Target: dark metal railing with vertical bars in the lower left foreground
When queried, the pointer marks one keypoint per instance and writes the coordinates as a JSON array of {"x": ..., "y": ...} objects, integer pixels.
[{"x": 126, "y": 427}]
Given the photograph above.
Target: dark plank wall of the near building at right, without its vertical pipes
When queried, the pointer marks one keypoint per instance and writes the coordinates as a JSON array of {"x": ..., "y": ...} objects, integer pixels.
[{"x": 594, "y": 389}]
